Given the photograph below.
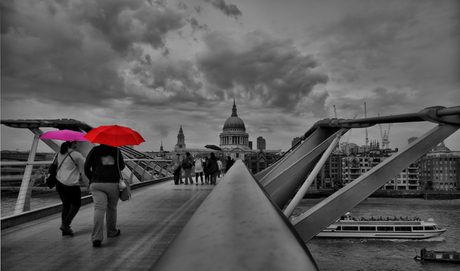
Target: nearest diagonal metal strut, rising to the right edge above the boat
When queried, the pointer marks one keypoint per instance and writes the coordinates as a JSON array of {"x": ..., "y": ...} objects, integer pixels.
[{"x": 326, "y": 212}]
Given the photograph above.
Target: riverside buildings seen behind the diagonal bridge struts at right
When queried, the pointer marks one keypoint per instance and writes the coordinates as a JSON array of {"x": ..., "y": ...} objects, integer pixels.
[{"x": 437, "y": 170}]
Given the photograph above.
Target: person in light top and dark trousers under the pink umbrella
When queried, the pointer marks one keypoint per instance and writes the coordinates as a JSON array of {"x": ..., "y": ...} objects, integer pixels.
[{"x": 72, "y": 164}]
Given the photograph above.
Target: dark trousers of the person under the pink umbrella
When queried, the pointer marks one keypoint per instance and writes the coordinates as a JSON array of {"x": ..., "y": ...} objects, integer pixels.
[{"x": 71, "y": 202}]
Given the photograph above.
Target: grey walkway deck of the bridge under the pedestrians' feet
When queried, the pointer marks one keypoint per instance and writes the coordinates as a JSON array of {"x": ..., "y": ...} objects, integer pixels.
[{"x": 148, "y": 223}]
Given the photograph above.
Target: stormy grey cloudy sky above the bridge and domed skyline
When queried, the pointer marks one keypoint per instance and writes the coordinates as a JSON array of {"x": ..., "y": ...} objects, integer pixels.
[{"x": 156, "y": 65}]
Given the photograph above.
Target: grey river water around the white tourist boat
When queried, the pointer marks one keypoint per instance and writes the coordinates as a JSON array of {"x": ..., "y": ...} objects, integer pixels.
[{"x": 375, "y": 254}]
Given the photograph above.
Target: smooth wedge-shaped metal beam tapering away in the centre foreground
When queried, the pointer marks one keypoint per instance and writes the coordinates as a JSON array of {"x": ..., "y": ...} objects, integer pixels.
[{"x": 237, "y": 228}]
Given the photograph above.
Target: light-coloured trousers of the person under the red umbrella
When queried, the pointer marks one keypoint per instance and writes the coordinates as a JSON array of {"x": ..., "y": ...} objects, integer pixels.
[{"x": 105, "y": 197}]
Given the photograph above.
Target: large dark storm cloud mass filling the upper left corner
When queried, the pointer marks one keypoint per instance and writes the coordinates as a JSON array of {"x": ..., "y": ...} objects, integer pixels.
[{"x": 68, "y": 48}]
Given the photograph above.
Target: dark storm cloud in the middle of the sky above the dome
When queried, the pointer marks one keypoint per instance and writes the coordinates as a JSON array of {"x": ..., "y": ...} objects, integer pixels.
[{"x": 261, "y": 68}]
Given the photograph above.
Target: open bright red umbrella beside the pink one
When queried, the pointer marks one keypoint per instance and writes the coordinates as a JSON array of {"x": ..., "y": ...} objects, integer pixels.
[{"x": 114, "y": 135}]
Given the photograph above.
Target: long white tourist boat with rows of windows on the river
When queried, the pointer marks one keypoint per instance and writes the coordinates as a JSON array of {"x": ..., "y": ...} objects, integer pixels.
[{"x": 349, "y": 227}]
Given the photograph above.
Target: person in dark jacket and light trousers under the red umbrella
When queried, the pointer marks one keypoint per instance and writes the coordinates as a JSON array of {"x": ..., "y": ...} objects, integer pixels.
[{"x": 103, "y": 168}]
